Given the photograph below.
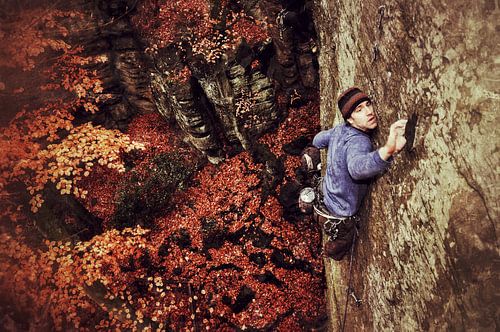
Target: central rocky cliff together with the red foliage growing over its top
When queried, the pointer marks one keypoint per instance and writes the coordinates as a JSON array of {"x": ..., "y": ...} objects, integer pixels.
[{"x": 223, "y": 96}]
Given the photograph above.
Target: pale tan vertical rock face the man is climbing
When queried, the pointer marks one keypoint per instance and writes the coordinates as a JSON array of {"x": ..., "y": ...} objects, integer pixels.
[{"x": 427, "y": 257}]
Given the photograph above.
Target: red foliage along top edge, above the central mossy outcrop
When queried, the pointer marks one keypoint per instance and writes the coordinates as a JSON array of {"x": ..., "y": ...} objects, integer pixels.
[{"x": 190, "y": 23}]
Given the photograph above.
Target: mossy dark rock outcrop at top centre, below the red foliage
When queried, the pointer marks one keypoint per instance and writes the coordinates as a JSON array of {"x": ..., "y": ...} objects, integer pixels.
[{"x": 230, "y": 102}]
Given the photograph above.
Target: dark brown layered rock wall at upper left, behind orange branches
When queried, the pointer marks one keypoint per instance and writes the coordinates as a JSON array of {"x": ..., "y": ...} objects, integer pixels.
[{"x": 124, "y": 72}]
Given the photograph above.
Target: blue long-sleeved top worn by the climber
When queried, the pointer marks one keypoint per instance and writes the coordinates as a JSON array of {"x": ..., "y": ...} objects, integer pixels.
[{"x": 350, "y": 164}]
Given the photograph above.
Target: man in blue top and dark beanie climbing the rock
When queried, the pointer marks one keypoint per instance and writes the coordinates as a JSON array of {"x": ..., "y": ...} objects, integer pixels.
[{"x": 351, "y": 164}]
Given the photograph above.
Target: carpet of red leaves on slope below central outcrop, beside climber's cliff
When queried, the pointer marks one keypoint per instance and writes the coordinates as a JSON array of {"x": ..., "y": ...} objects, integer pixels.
[{"x": 233, "y": 201}]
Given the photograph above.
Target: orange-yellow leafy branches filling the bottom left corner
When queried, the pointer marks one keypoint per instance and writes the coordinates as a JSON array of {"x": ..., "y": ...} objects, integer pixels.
[{"x": 57, "y": 279}]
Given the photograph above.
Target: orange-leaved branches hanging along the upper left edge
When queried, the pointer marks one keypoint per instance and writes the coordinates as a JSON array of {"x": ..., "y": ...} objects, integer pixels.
[{"x": 50, "y": 148}]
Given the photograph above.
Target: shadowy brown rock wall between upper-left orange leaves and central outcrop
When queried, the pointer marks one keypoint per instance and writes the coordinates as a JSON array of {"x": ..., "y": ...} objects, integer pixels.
[{"x": 124, "y": 74}]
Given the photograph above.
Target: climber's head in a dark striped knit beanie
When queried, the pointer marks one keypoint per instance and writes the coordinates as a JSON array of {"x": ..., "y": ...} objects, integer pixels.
[{"x": 356, "y": 108}]
